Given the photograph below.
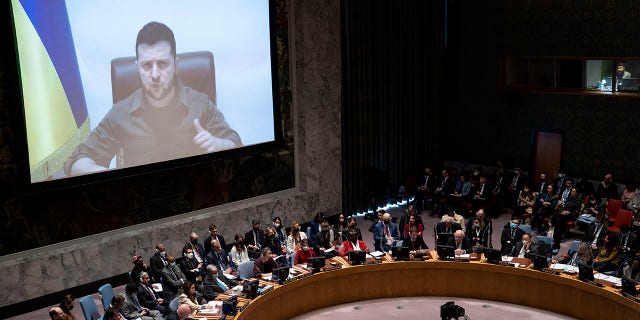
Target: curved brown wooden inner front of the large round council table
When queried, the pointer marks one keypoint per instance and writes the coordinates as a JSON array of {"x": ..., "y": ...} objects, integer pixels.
[{"x": 560, "y": 294}]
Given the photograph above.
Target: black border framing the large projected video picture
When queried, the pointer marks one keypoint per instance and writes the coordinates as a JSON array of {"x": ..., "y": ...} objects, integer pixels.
[{"x": 29, "y": 188}]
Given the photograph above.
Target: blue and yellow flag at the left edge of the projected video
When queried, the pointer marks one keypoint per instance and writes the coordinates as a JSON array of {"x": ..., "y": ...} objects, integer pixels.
[{"x": 54, "y": 102}]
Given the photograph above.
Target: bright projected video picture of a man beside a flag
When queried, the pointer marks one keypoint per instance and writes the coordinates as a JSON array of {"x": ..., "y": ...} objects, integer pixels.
[{"x": 116, "y": 84}]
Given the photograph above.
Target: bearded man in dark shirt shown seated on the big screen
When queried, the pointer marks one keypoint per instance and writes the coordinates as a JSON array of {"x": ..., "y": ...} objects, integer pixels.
[{"x": 162, "y": 120}]
